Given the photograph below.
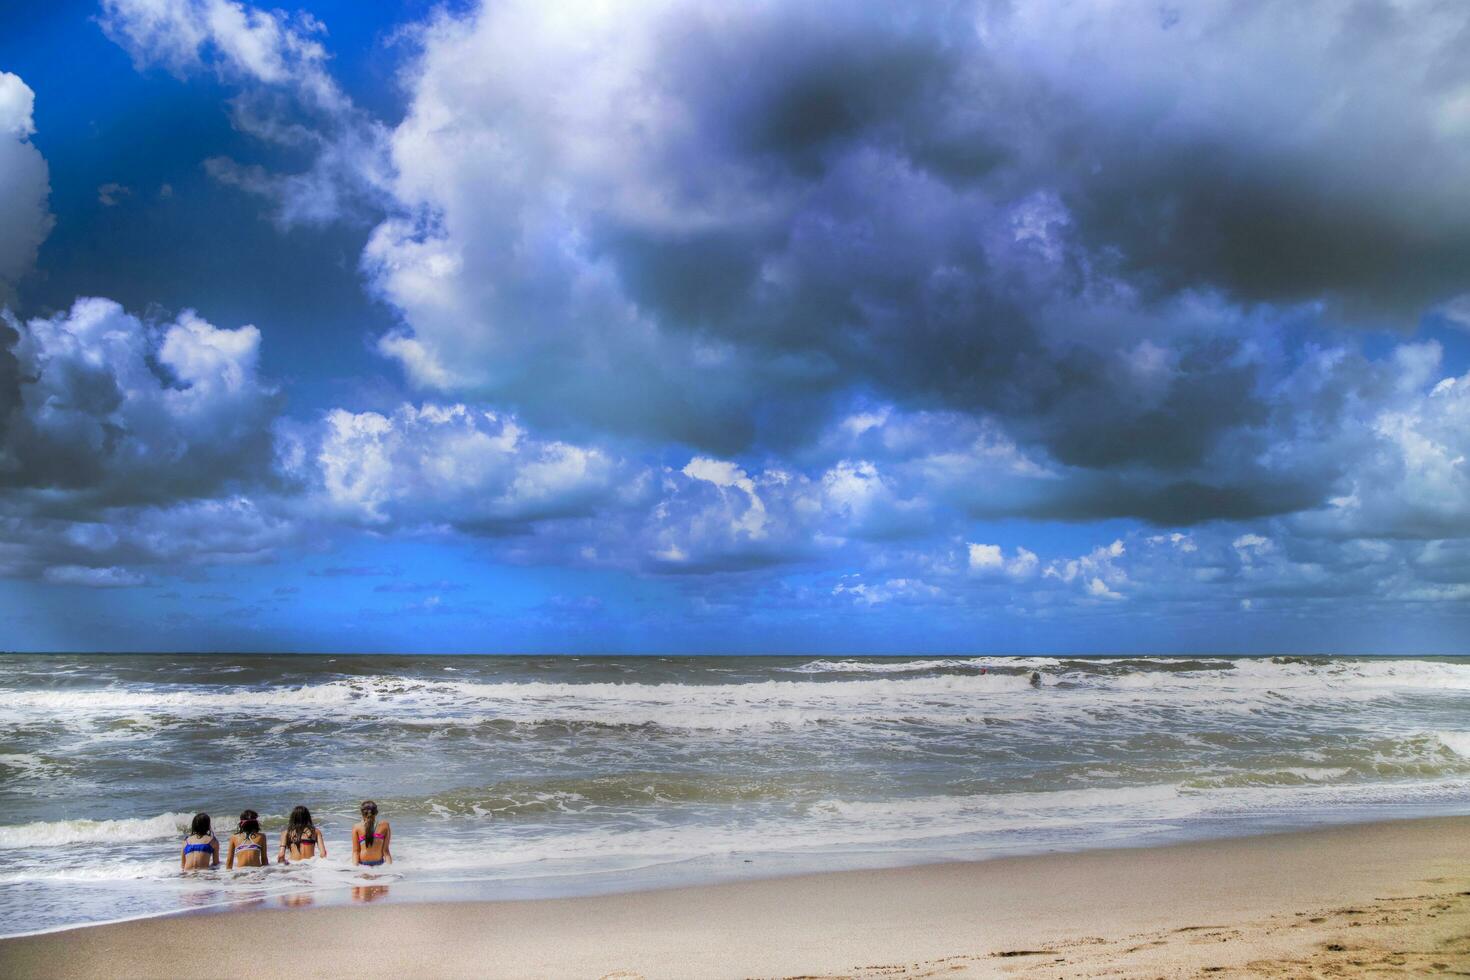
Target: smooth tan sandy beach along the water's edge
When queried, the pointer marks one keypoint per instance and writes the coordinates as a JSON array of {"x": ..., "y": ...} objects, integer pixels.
[{"x": 1387, "y": 898}]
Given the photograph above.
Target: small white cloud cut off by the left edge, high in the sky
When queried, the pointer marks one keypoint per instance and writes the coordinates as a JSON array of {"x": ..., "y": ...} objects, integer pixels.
[{"x": 24, "y": 187}]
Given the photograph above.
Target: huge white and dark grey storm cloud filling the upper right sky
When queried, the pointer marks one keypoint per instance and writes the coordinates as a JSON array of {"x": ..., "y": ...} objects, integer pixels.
[{"x": 968, "y": 206}]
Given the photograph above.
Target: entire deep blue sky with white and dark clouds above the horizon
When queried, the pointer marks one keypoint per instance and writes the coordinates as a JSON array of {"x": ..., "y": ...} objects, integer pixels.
[{"x": 690, "y": 327}]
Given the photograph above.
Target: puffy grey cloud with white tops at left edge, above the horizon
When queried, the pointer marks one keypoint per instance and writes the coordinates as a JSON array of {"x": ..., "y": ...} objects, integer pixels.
[{"x": 129, "y": 444}]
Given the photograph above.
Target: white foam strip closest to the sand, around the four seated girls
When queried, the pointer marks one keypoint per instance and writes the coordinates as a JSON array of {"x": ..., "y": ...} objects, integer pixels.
[{"x": 967, "y": 824}]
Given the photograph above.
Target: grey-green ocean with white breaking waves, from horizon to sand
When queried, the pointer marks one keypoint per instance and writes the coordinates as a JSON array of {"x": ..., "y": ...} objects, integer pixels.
[{"x": 537, "y": 777}]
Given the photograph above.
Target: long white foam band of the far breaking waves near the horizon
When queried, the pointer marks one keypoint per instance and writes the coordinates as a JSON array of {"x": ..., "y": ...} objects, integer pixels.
[{"x": 874, "y": 697}]
